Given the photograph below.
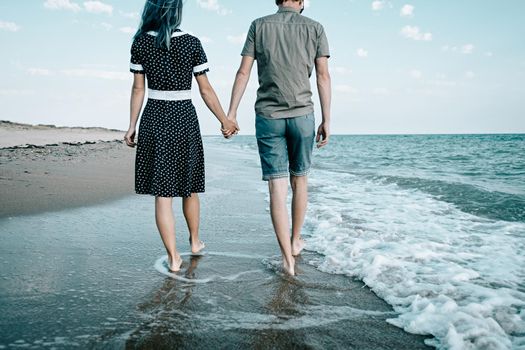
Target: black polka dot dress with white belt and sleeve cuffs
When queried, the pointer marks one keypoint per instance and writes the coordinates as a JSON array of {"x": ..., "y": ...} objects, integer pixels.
[{"x": 170, "y": 159}]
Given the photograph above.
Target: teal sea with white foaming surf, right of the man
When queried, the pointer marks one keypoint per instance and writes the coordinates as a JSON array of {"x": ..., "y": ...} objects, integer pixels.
[{"x": 433, "y": 224}]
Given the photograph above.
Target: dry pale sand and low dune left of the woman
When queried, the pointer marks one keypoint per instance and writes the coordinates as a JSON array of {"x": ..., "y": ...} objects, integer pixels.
[{"x": 93, "y": 166}]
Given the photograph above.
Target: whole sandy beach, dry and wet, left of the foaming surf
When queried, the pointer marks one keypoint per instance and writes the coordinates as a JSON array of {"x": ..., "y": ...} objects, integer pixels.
[{"x": 83, "y": 265}]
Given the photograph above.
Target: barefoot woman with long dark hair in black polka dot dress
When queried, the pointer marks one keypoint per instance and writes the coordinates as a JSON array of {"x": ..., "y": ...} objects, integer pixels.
[{"x": 169, "y": 160}]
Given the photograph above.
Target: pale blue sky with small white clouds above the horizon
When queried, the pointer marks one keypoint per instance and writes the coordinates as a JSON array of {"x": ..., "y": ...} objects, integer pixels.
[{"x": 397, "y": 67}]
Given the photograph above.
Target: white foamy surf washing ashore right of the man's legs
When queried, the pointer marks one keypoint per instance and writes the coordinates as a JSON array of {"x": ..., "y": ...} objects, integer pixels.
[{"x": 446, "y": 273}]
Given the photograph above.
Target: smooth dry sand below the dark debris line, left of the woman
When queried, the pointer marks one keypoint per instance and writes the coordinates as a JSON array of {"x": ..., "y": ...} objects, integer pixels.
[{"x": 54, "y": 177}]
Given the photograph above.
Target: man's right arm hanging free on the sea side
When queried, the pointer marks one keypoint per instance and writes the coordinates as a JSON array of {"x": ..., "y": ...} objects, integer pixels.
[{"x": 324, "y": 86}]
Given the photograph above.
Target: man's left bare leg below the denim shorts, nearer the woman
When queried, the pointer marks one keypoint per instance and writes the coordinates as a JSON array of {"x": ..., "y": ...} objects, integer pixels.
[{"x": 278, "y": 192}]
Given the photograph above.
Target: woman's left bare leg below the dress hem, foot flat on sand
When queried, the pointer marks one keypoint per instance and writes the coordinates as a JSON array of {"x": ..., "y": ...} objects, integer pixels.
[{"x": 166, "y": 226}]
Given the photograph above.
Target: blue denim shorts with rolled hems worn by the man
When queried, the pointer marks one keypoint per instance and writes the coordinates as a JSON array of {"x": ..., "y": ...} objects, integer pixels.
[{"x": 285, "y": 145}]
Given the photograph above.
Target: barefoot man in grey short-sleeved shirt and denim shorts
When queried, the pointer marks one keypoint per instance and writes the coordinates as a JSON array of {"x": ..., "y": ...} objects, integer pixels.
[{"x": 286, "y": 46}]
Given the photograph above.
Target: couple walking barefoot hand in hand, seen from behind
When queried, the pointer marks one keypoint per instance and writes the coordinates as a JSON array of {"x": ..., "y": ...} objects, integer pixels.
[{"x": 169, "y": 159}]
